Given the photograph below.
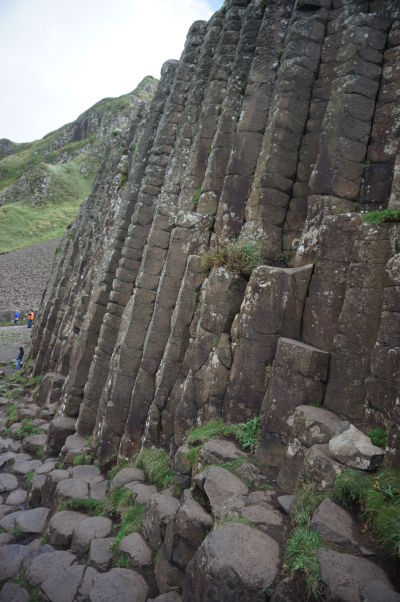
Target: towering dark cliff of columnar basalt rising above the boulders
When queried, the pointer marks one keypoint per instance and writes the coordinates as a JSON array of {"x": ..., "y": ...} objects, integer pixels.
[{"x": 279, "y": 126}]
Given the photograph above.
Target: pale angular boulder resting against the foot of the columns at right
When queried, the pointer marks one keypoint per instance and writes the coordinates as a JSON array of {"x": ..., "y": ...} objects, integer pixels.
[{"x": 353, "y": 448}]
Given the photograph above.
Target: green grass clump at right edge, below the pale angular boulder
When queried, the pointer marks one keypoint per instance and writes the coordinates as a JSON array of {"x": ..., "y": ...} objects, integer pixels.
[{"x": 378, "y": 498}]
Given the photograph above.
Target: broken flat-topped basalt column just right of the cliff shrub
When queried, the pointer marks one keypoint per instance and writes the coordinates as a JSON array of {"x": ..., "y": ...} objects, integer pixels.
[{"x": 272, "y": 307}]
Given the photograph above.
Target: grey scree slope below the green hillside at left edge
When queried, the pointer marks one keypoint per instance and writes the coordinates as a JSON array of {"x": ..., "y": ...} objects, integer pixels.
[{"x": 23, "y": 278}]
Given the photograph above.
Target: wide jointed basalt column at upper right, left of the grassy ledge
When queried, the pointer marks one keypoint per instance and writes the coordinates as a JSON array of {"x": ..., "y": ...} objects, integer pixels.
[{"x": 347, "y": 122}]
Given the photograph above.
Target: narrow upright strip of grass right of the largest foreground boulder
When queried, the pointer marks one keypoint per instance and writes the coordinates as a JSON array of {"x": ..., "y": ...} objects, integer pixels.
[{"x": 303, "y": 543}]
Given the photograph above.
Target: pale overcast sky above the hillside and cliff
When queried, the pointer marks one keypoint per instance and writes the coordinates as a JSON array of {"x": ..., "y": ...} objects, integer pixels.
[{"x": 59, "y": 57}]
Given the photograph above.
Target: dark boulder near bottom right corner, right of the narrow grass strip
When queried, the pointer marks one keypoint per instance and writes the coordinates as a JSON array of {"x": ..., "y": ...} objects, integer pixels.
[{"x": 344, "y": 575}]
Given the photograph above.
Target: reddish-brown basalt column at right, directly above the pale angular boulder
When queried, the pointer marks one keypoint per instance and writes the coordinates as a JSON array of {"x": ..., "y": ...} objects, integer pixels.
[{"x": 358, "y": 323}]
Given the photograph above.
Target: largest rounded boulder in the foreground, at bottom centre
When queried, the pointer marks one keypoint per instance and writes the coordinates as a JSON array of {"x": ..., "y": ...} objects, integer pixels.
[{"x": 235, "y": 563}]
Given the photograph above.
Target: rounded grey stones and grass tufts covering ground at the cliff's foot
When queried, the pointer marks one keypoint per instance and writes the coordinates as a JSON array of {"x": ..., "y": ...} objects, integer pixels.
[{"x": 218, "y": 532}]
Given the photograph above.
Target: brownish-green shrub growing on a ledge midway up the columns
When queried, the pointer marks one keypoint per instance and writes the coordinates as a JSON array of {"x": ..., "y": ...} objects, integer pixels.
[{"x": 237, "y": 256}]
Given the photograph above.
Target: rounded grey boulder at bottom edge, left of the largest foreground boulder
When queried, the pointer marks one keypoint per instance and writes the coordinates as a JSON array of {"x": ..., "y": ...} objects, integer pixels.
[{"x": 118, "y": 584}]
